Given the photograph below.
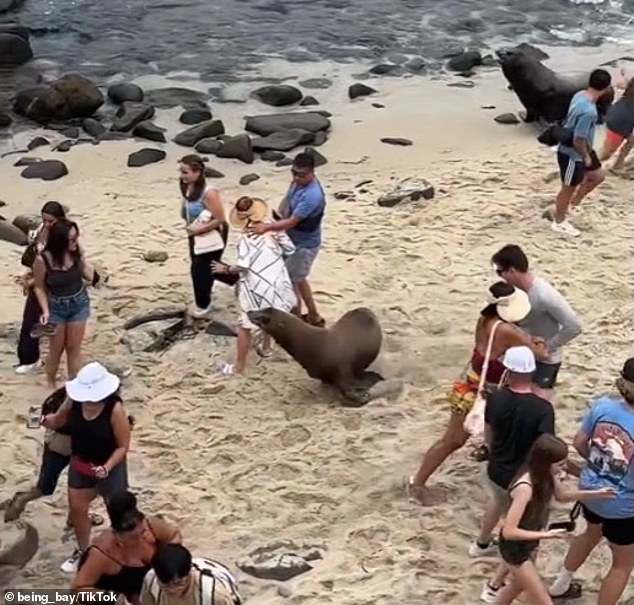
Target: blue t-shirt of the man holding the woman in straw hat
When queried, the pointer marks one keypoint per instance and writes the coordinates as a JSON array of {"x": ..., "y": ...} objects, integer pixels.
[{"x": 307, "y": 203}]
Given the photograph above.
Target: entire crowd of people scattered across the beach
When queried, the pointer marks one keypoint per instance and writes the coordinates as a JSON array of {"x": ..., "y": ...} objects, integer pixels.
[{"x": 503, "y": 404}]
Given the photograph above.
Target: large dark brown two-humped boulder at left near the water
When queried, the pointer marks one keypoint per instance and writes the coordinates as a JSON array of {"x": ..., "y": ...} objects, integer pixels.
[{"x": 72, "y": 96}]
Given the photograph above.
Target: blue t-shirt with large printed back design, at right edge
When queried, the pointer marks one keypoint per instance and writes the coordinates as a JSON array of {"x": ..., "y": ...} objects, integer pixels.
[{"x": 610, "y": 429}]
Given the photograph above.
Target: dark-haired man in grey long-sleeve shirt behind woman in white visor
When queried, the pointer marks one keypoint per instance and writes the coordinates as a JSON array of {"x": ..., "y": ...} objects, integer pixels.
[{"x": 551, "y": 317}]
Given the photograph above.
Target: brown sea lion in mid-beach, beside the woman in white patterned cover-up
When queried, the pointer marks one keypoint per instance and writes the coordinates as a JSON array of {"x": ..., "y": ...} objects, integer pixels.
[{"x": 338, "y": 355}]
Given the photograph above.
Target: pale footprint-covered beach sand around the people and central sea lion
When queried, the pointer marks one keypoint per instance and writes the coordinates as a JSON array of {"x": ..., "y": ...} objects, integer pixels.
[{"x": 239, "y": 463}]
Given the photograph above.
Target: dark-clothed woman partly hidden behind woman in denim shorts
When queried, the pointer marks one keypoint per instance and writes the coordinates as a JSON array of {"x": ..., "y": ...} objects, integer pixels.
[{"x": 29, "y": 347}]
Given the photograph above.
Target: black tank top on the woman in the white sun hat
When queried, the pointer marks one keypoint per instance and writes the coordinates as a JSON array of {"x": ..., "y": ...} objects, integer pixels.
[{"x": 93, "y": 440}]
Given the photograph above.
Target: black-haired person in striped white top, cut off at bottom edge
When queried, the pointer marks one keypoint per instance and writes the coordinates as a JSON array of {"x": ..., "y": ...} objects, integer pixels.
[{"x": 177, "y": 579}]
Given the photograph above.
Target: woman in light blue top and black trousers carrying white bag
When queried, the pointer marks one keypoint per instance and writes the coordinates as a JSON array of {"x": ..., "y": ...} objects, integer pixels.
[{"x": 206, "y": 227}]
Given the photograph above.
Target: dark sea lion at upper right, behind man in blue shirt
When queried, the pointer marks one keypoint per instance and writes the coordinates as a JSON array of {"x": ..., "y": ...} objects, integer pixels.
[{"x": 545, "y": 94}]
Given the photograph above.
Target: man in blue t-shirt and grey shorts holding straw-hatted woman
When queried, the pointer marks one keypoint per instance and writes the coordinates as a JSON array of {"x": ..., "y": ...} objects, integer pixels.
[{"x": 303, "y": 210}]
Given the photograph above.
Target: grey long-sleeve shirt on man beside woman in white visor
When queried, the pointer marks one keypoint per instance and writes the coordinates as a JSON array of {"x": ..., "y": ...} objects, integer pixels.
[{"x": 550, "y": 318}]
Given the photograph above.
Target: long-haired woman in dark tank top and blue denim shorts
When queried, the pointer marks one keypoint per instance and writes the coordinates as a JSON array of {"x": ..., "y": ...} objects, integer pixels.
[{"x": 60, "y": 273}]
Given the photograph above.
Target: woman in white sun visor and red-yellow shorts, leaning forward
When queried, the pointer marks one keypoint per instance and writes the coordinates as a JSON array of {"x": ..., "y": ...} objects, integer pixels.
[{"x": 507, "y": 305}]
